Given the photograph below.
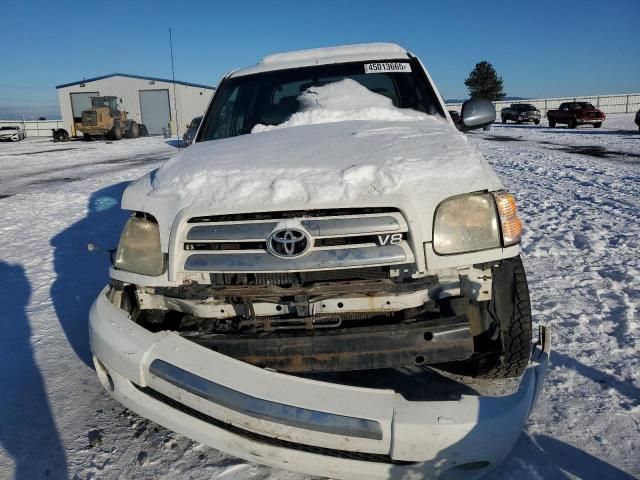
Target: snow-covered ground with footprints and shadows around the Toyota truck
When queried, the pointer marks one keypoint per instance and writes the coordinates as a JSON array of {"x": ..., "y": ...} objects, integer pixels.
[{"x": 578, "y": 193}]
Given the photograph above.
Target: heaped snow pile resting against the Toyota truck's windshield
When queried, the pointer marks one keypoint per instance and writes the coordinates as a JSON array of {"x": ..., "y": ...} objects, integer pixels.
[{"x": 341, "y": 101}]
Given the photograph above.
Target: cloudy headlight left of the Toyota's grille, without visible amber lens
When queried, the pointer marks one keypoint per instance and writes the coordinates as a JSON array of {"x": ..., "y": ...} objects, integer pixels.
[{"x": 139, "y": 247}]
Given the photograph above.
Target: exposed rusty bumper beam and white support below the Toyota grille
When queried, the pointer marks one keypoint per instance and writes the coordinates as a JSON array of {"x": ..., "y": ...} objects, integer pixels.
[{"x": 309, "y": 322}]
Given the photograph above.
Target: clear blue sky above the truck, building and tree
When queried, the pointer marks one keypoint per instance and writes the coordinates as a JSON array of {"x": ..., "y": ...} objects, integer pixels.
[{"x": 540, "y": 48}]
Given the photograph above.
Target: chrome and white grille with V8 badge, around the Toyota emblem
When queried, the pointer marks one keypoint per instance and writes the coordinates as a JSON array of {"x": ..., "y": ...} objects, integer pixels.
[{"x": 233, "y": 244}]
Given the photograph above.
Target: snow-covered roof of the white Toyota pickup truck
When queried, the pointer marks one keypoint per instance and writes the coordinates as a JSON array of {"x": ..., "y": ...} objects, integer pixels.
[{"x": 322, "y": 56}]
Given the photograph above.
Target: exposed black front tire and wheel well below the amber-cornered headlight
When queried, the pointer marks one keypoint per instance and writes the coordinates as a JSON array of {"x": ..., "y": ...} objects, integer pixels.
[{"x": 504, "y": 348}]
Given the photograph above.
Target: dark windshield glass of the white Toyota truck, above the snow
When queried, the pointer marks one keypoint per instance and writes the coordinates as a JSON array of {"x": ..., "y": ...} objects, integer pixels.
[{"x": 271, "y": 98}]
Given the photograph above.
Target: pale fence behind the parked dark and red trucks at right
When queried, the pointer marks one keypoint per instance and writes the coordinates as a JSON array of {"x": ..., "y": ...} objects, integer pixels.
[{"x": 625, "y": 103}]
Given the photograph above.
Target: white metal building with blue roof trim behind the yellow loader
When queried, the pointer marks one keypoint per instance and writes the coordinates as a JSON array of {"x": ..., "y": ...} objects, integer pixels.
[{"x": 147, "y": 100}]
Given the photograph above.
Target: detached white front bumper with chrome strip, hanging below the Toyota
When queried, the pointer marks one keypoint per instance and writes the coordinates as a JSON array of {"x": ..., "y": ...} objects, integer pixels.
[{"x": 299, "y": 424}]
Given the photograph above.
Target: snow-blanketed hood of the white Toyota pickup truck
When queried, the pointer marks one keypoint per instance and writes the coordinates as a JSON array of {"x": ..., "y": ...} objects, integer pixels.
[{"x": 412, "y": 165}]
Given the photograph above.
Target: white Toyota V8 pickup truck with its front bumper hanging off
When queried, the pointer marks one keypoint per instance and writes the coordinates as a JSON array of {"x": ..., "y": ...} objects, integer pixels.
[{"x": 328, "y": 219}]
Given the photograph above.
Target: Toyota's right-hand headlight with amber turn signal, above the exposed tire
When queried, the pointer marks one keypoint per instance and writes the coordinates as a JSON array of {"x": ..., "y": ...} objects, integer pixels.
[{"x": 473, "y": 222}]
